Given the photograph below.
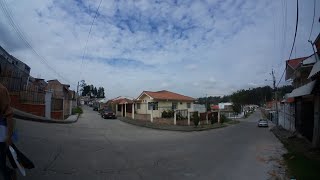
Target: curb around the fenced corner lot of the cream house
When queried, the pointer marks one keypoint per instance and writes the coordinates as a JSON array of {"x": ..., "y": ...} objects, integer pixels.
[{"x": 170, "y": 129}]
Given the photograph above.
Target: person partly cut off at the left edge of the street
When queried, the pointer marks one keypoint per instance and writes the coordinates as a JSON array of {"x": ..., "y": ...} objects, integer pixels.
[{"x": 6, "y": 130}]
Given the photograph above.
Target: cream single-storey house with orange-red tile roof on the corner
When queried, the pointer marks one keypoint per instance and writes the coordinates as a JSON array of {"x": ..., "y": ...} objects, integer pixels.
[{"x": 156, "y": 102}]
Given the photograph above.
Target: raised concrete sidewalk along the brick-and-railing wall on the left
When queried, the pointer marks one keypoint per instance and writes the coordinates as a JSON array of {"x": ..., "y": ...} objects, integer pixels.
[{"x": 30, "y": 117}]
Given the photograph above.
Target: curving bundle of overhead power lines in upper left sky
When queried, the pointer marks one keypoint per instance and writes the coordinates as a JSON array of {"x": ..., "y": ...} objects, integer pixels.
[{"x": 17, "y": 29}]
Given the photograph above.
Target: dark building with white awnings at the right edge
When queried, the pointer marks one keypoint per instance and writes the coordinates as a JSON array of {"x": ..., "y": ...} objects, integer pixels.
[{"x": 303, "y": 103}]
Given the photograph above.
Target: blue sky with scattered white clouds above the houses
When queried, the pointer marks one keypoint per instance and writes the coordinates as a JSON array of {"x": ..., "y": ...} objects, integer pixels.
[{"x": 192, "y": 47}]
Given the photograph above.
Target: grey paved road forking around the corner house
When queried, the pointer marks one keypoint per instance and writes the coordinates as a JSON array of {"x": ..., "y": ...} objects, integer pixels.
[{"x": 99, "y": 149}]
